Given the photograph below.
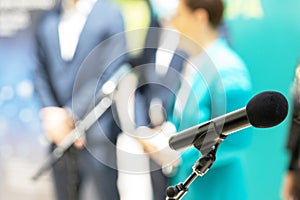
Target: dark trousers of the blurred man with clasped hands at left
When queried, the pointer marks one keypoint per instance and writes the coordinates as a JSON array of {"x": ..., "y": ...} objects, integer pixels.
[{"x": 79, "y": 176}]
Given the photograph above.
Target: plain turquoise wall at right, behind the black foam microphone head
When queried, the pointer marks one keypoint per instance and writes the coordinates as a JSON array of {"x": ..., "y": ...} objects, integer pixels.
[{"x": 270, "y": 46}]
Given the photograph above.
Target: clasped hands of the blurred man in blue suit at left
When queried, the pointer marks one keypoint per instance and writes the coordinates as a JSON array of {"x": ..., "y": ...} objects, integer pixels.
[{"x": 57, "y": 123}]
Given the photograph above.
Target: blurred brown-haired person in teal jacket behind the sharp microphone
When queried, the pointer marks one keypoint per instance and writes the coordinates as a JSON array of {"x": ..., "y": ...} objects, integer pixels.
[{"x": 219, "y": 83}]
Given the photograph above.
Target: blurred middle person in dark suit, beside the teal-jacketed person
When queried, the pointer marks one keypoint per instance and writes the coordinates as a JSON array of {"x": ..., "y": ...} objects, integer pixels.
[{"x": 159, "y": 82}]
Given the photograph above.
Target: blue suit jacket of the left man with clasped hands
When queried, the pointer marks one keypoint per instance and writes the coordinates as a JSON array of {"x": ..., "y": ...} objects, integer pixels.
[{"x": 74, "y": 83}]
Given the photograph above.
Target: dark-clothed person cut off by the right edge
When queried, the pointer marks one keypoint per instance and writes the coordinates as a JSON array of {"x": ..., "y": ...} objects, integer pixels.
[{"x": 291, "y": 183}]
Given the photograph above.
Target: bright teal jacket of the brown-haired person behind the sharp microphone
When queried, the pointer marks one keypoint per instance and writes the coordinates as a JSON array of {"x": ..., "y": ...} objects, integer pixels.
[{"x": 221, "y": 84}]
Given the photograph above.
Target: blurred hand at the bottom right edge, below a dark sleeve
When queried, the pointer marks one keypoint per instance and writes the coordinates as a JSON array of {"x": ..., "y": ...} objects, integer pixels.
[{"x": 287, "y": 192}]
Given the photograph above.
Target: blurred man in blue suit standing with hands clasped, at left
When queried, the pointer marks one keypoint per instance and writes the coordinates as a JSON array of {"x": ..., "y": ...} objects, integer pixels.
[{"x": 75, "y": 57}]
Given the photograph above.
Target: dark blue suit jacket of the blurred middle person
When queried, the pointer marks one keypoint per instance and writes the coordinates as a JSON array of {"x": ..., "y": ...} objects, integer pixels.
[{"x": 151, "y": 84}]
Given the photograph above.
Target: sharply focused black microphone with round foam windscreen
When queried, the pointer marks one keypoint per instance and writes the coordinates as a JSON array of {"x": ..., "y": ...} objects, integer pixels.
[{"x": 267, "y": 109}]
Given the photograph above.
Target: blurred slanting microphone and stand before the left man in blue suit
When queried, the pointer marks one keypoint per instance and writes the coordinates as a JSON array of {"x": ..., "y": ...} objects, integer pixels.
[{"x": 106, "y": 98}]
